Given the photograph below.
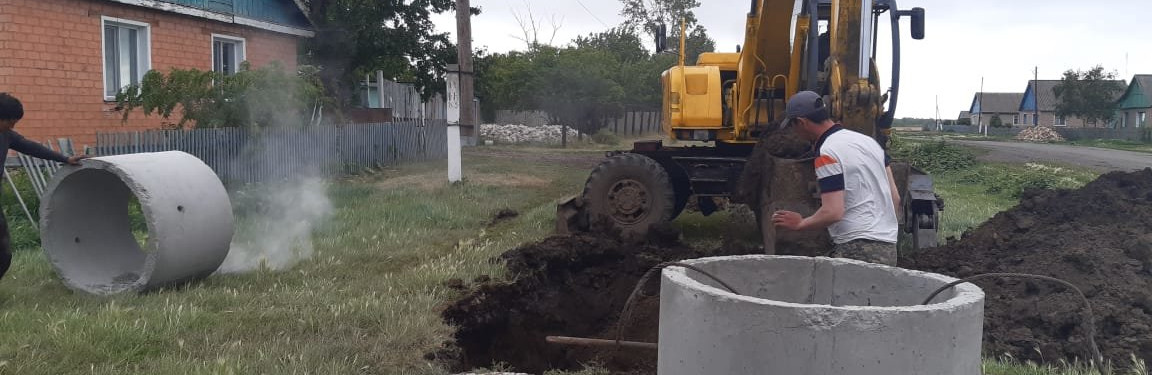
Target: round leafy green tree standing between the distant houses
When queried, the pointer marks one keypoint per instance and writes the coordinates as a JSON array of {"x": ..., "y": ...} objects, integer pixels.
[{"x": 1088, "y": 95}]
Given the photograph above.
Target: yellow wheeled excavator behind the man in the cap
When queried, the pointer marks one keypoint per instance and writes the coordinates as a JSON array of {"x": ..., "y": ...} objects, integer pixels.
[{"x": 731, "y": 105}]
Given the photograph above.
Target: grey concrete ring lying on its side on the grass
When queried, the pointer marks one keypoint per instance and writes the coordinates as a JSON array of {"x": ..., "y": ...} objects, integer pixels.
[{"x": 87, "y": 234}]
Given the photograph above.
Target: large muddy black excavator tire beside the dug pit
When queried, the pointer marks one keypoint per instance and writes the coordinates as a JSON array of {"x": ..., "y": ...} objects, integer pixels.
[{"x": 632, "y": 193}]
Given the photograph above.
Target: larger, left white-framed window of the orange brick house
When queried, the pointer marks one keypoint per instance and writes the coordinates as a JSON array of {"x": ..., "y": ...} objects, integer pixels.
[{"x": 127, "y": 55}]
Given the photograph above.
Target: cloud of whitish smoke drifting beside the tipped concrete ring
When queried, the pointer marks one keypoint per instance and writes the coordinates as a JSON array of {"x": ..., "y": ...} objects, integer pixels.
[{"x": 291, "y": 205}]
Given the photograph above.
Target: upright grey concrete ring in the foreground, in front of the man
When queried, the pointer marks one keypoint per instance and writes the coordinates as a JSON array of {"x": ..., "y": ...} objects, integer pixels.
[{"x": 816, "y": 316}]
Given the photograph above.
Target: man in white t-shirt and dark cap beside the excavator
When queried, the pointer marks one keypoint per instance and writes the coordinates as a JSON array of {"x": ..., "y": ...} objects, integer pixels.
[{"x": 859, "y": 196}]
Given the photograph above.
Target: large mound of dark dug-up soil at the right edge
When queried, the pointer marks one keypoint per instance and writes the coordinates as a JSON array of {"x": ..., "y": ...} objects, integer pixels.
[{"x": 1098, "y": 239}]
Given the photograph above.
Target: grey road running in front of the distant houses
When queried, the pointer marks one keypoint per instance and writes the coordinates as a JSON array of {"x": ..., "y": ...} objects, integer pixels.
[{"x": 1100, "y": 159}]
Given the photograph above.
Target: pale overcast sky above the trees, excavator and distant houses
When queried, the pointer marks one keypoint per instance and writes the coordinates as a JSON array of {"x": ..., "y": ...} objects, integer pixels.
[{"x": 1001, "y": 41}]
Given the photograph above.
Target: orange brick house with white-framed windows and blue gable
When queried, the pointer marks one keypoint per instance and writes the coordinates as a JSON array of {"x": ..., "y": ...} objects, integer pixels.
[{"x": 67, "y": 59}]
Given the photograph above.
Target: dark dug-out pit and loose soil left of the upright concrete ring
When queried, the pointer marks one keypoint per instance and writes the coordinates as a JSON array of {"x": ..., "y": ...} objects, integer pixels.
[{"x": 572, "y": 286}]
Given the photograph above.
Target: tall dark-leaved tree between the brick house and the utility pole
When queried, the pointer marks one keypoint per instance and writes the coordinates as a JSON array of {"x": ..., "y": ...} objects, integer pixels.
[{"x": 359, "y": 37}]
